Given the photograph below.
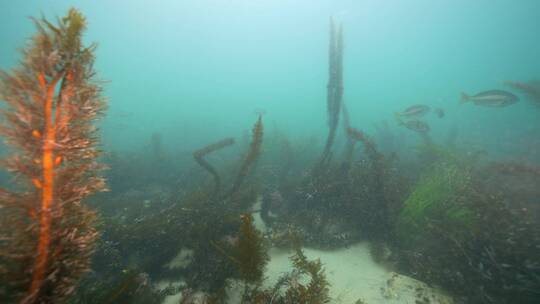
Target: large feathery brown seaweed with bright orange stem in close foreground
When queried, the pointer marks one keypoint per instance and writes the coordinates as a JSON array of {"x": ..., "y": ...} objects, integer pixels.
[{"x": 52, "y": 100}]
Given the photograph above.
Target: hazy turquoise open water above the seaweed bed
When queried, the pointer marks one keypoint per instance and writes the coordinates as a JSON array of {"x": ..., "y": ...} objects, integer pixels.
[{"x": 196, "y": 71}]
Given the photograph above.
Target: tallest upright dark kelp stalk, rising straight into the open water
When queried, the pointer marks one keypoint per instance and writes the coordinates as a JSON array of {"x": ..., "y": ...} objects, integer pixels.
[{"x": 334, "y": 88}]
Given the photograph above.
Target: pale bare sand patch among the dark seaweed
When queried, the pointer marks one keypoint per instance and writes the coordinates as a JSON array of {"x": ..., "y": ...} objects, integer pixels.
[{"x": 354, "y": 275}]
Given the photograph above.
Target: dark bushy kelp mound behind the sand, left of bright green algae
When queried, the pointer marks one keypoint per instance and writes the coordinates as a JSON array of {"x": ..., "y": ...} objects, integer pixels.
[{"x": 352, "y": 200}]
